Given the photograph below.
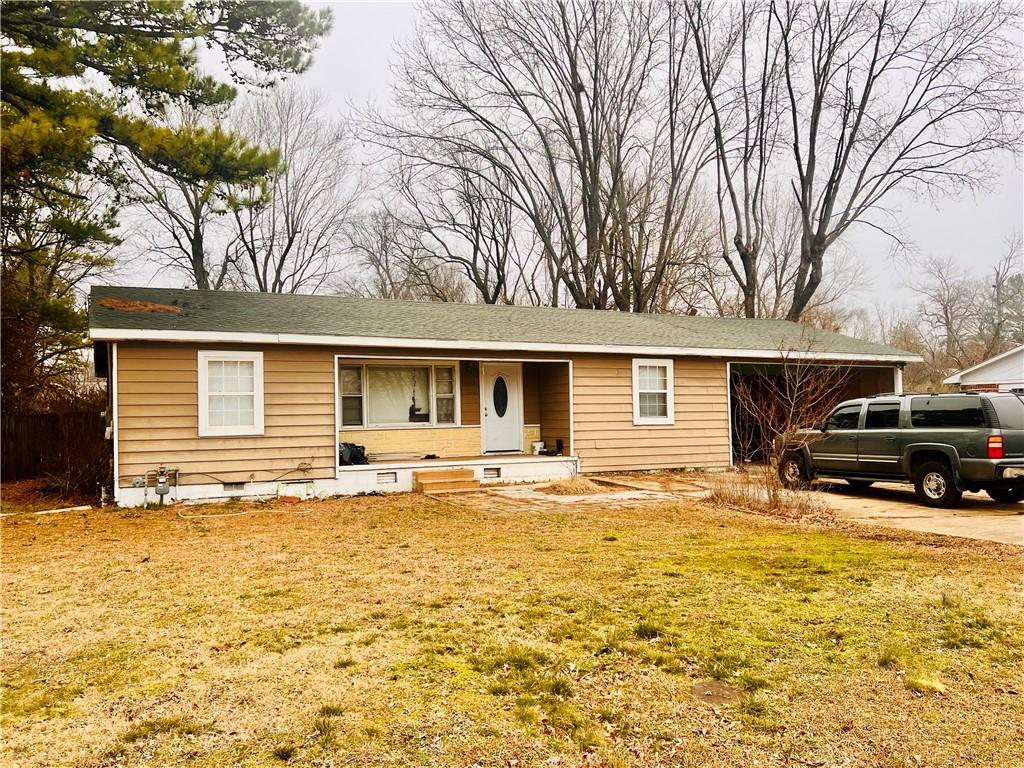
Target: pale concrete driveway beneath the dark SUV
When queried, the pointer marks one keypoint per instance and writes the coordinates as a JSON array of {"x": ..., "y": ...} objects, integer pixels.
[{"x": 895, "y": 505}]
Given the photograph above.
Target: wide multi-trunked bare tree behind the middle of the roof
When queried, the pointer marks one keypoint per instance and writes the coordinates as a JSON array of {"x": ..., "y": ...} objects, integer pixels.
[{"x": 583, "y": 117}]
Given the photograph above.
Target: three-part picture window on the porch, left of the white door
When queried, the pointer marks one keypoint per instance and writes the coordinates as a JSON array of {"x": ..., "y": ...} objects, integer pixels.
[{"x": 394, "y": 396}]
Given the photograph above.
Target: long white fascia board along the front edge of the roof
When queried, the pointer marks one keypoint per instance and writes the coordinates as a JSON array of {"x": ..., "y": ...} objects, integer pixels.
[{"x": 214, "y": 337}]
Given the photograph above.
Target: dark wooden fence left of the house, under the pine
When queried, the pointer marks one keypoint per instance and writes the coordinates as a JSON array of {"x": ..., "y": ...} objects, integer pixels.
[{"x": 70, "y": 446}]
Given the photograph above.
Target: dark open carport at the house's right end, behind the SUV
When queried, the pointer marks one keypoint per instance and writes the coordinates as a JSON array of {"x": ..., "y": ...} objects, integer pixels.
[{"x": 754, "y": 386}]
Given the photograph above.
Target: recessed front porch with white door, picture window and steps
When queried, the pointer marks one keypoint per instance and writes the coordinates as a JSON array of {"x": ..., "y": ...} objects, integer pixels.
[{"x": 507, "y": 420}]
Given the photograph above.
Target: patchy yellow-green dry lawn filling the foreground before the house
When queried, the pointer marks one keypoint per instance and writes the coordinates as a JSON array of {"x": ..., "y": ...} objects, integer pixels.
[{"x": 398, "y": 631}]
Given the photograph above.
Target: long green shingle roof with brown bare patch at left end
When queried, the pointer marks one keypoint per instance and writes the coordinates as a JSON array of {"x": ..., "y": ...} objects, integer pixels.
[{"x": 212, "y": 317}]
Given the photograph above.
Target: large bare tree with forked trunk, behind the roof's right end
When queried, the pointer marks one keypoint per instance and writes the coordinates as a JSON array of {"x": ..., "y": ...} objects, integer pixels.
[{"x": 890, "y": 96}]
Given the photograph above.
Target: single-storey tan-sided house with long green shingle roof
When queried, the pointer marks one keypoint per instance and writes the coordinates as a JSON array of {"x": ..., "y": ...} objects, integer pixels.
[{"x": 218, "y": 395}]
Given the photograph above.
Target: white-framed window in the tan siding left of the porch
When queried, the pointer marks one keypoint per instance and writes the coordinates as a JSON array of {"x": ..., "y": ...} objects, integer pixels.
[{"x": 231, "y": 394}]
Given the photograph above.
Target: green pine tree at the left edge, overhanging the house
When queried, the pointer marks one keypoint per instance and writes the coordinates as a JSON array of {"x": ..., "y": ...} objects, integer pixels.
[{"x": 83, "y": 82}]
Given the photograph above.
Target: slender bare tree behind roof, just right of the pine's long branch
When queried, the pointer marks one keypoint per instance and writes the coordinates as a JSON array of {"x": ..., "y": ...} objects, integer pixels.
[{"x": 289, "y": 235}]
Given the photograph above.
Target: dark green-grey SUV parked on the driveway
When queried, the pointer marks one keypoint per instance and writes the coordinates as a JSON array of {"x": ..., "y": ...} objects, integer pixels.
[{"x": 944, "y": 444}]
